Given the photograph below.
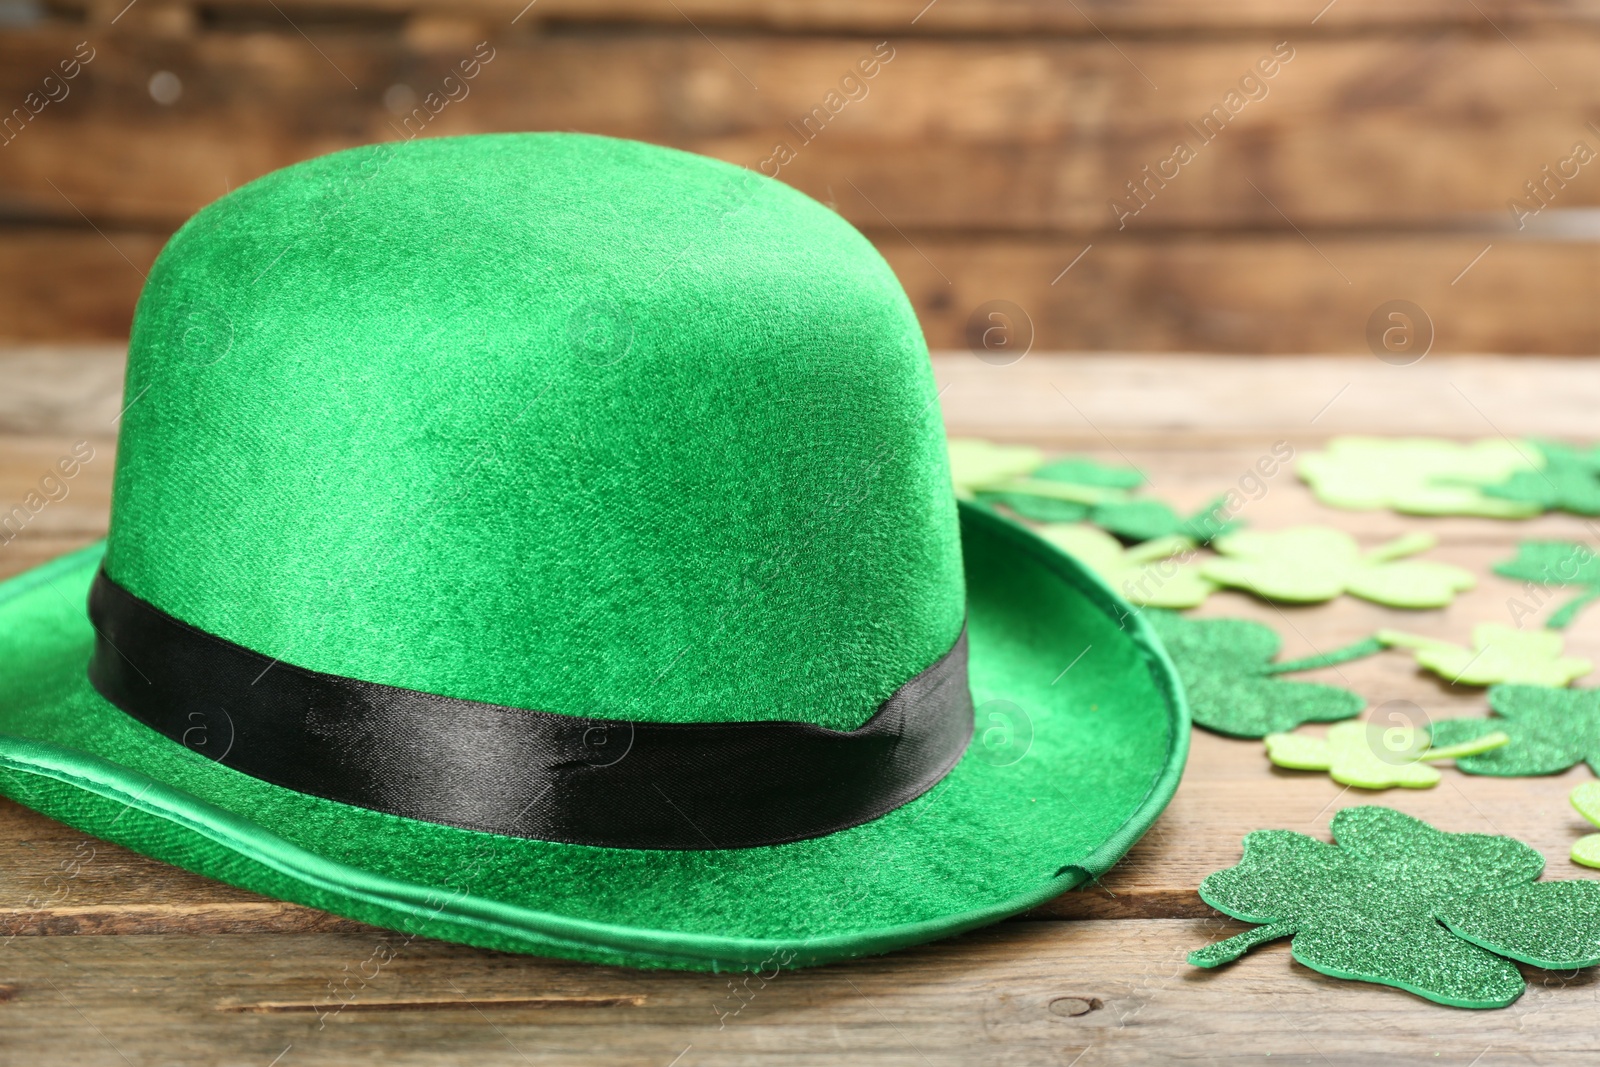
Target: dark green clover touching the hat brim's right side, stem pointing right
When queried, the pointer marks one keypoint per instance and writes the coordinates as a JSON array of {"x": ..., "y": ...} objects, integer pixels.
[{"x": 1228, "y": 673}]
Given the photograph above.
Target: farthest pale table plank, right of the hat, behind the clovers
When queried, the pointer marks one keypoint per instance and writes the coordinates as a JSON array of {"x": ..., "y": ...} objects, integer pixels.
[{"x": 1118, "y": 399}]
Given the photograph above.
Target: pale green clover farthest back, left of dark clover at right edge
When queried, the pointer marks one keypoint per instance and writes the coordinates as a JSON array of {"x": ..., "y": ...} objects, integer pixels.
[{"x": 1418, "y": 476}]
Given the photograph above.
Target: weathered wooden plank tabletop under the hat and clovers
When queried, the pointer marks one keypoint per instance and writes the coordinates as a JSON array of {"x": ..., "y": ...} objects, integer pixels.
[{"x": 132, "y": 962}]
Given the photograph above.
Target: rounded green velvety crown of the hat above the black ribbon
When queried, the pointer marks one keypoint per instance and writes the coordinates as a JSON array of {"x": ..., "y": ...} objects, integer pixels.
[{"x": 543, "y": 420}]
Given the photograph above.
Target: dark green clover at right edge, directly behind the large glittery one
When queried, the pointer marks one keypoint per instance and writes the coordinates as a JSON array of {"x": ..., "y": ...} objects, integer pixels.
[{"x": 1551, "y": 730}]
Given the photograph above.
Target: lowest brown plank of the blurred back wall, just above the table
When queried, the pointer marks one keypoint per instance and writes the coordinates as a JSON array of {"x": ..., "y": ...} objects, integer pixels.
[{"x": 1250, "y": 294}]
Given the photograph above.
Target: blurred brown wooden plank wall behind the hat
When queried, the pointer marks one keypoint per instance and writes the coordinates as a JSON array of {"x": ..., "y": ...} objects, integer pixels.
[{"x": 1377, "y": 164}]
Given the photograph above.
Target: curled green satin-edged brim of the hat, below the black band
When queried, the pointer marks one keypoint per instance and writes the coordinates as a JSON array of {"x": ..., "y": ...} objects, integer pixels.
[{"x": 1081, "y": 740}]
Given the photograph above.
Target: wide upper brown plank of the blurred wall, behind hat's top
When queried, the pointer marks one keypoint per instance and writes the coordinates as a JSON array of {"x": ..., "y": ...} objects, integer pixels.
[{"x": 1420, "y": 129}]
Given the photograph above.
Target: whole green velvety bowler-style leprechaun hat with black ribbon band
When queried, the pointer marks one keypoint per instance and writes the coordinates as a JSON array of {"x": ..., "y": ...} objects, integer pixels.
[{"x": 546, "y": 543}]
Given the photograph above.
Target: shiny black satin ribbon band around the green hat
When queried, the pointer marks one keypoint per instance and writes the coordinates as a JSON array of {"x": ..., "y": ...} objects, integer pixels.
[{"x": 518, "y": 772}]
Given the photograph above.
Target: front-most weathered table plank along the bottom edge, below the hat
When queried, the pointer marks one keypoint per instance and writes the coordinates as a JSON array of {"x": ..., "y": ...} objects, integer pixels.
[{"x": 1022, "y": 994}]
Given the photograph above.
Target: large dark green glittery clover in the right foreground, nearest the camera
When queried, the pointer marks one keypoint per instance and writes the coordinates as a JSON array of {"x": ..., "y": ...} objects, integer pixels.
[{"x": 1399, "y": 903}]
